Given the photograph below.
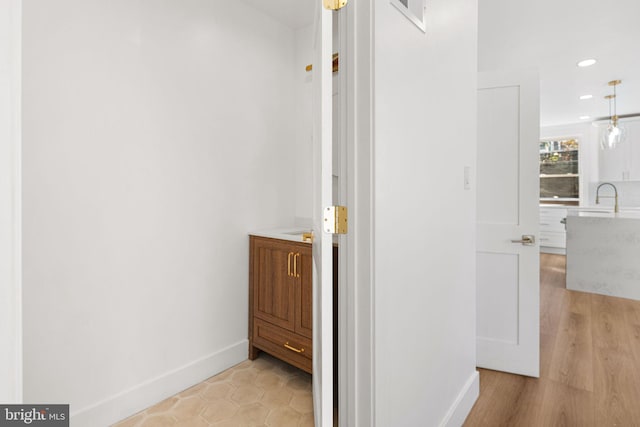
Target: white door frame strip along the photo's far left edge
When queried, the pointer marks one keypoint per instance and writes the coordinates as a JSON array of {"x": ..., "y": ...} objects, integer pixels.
[{"x": 10, "y": 202}]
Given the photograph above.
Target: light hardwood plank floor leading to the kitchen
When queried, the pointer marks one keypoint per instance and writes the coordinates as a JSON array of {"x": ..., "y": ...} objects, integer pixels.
[{"x": 589, "y": 363}]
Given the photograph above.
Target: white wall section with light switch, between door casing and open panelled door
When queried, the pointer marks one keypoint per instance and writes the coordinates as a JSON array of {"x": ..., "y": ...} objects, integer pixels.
[{"x": 424, "y": 263}]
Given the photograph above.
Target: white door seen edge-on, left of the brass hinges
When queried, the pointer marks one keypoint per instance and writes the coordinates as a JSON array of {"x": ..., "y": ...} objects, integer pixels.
[{"x": 322, "y": 198}]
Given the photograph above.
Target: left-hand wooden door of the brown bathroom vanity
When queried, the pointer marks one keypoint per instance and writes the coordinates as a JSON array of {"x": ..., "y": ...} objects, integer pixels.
[{"x": 273, "y": 282}]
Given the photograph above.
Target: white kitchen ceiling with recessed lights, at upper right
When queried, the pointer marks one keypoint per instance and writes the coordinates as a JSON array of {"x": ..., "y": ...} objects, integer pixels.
[{"x": 554, "y": 35}]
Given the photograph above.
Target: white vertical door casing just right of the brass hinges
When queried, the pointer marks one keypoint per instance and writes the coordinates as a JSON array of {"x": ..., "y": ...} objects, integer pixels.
[{"x": 359, "y": 378}]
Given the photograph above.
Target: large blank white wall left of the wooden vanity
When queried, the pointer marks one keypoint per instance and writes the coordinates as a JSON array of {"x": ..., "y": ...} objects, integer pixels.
[{"x": 156, "y": 135}]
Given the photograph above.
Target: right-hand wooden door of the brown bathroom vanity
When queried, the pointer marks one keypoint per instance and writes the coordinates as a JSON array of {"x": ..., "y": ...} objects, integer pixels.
[{"x": 304, "y": 293}]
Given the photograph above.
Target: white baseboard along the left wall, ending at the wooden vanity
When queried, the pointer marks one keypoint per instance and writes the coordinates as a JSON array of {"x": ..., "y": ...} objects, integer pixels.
[{"x": 154, "y": 390}]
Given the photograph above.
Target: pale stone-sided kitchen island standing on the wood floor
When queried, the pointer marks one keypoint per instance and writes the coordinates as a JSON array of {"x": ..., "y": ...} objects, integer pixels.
[{"x": 603, "y": 249}]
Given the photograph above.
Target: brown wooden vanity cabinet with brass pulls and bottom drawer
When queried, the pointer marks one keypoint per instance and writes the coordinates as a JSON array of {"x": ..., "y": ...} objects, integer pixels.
[{"x": 280, "y": 300}]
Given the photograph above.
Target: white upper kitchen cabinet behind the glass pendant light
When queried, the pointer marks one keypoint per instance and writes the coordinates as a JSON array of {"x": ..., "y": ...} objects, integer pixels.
[{"x": 622, "y": 163}]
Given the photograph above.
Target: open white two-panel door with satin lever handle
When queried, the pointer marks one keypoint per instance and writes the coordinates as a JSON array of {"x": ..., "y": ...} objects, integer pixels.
[{"x": 508, "y": 284}]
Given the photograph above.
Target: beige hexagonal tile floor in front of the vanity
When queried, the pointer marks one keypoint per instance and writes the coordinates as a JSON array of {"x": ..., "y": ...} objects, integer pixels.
[{"x": 263, "y": 392}]
